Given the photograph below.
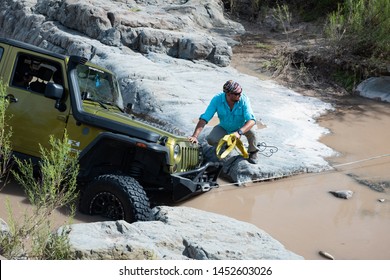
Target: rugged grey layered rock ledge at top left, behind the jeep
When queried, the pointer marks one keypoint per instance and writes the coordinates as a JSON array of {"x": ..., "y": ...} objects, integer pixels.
[{"x": 182, "y": 29}]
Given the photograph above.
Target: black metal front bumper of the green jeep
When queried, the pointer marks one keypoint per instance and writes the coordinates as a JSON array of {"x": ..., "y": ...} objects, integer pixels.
[{"x": 190, "y": 183}]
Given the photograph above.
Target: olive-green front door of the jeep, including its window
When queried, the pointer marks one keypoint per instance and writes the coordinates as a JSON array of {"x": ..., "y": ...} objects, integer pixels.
[{"x": 33, "y": 117}]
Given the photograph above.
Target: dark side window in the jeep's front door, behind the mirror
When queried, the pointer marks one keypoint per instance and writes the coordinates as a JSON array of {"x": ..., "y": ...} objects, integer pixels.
[{"x": 33, "y": 73}]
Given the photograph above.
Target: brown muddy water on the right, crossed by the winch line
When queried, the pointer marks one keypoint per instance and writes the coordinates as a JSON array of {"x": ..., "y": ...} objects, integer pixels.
[{"x": 301, "y": 213}]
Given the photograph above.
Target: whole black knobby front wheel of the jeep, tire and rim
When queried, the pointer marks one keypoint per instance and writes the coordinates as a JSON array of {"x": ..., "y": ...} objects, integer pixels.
[{"x": 117, "y": 198}]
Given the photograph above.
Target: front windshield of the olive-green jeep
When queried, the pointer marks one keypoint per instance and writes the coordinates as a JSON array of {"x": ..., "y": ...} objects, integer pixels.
[{"x": 98, "y": 86}]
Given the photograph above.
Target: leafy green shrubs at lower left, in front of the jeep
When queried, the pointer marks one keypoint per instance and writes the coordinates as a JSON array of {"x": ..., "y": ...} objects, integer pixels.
[{"x": 54, "y": 188}]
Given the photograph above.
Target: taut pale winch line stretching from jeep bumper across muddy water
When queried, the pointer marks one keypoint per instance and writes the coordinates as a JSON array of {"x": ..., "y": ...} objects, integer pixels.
[{"x": 333, "y": 170}]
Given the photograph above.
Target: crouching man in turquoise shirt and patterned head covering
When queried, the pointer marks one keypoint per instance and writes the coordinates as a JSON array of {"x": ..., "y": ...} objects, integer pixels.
[{"x": 235, "y": 115}]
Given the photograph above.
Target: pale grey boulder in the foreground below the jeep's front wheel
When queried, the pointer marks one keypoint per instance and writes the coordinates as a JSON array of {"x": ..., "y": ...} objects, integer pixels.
[{"x": 177, "y": 233}]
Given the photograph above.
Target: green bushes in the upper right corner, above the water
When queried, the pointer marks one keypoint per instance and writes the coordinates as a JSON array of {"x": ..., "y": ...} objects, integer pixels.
[{"x": 358, "y": 32}]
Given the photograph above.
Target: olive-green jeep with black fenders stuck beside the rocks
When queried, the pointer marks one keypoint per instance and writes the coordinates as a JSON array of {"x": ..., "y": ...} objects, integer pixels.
[{"x": 123, "y": 160}]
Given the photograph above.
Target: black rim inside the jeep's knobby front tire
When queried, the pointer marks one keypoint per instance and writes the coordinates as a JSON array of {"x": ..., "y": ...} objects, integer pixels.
[{"x": 107, "y": 205}]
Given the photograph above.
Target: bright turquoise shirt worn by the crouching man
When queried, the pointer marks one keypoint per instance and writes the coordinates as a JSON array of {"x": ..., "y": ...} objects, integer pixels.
[{"x": 230, "y": 120}]
